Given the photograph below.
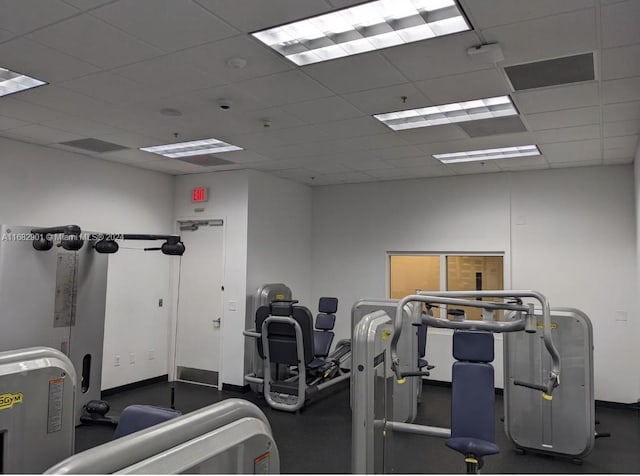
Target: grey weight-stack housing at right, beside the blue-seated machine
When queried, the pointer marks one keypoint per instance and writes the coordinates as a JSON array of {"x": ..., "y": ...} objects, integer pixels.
[{"x": 564, "y": 426}]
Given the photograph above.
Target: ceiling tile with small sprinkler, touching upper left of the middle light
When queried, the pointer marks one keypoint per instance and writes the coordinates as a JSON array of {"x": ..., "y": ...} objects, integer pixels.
[{"x": 380, "y": 100}]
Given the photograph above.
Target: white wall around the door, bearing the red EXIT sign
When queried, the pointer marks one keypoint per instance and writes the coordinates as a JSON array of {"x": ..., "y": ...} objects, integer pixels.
[{"x": 228, "y": 200}]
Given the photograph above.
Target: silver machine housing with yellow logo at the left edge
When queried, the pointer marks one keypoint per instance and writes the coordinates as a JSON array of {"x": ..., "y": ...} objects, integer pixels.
[{"x": 37, "y": 393}]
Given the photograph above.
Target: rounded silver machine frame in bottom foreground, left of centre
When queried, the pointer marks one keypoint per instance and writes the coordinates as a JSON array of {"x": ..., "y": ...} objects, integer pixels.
[{"x": 229, "y": 437}]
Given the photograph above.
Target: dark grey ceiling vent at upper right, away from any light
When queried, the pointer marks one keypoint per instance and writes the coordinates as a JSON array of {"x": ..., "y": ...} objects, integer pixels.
[{"x": 570, "y": 69}]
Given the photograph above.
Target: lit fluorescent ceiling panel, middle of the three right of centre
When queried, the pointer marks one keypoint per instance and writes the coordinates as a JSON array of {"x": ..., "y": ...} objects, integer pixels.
[{"x": 449, "y": 113}]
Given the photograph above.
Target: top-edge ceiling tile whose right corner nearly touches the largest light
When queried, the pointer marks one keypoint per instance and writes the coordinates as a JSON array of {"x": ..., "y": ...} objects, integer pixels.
[{"x": 166, "y": 24}]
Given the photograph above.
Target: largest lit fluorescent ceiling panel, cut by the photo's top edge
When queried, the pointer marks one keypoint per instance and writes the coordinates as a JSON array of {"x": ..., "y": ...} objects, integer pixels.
[{"x": 366, "y": 27}]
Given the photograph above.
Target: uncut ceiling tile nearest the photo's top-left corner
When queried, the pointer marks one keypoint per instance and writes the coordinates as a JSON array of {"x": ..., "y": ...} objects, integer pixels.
[{"x": 108, "y": 48}]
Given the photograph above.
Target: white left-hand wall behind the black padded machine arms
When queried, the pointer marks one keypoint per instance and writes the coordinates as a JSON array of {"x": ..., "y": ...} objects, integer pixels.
[{"x": 44, "y": 187}]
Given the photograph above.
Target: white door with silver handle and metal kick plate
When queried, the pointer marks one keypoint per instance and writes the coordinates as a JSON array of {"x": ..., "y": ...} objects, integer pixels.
[{"x": 198, "y": 326}]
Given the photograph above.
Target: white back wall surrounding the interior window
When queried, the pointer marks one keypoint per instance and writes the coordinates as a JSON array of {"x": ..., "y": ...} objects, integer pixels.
[{"x": 577, "y": 247}]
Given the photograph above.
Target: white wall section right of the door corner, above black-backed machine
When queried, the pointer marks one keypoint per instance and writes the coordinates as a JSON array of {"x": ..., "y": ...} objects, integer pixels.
[{"x": 279, "y": 244}]
